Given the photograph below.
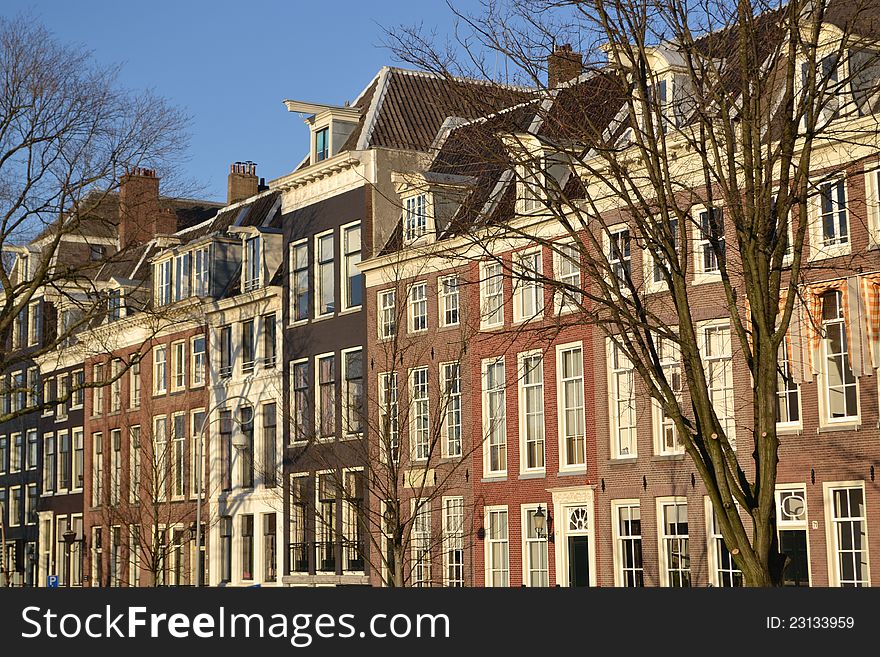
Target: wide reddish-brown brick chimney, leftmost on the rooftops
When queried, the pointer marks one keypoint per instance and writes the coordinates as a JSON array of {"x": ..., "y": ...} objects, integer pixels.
[{"x": 140, "y": 217}]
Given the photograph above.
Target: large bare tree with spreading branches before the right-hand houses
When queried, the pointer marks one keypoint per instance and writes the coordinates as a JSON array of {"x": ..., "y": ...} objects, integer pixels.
[{"x": 700, "y": 135}]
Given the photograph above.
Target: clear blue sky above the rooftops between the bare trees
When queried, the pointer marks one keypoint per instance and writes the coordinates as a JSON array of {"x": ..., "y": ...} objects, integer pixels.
[{"x": 230, "y": 64}]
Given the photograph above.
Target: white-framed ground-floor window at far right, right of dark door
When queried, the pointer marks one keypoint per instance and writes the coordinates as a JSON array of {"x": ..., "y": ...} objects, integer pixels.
[{"x": 849, "y": 536}]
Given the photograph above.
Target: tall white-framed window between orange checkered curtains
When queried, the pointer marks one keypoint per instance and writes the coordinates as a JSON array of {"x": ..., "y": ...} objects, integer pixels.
[{"x": 841, "y": 388}]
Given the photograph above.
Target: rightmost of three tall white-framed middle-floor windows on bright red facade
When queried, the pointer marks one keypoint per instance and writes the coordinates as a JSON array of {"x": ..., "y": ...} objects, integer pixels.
[{"x": 570, "y": 373}]
